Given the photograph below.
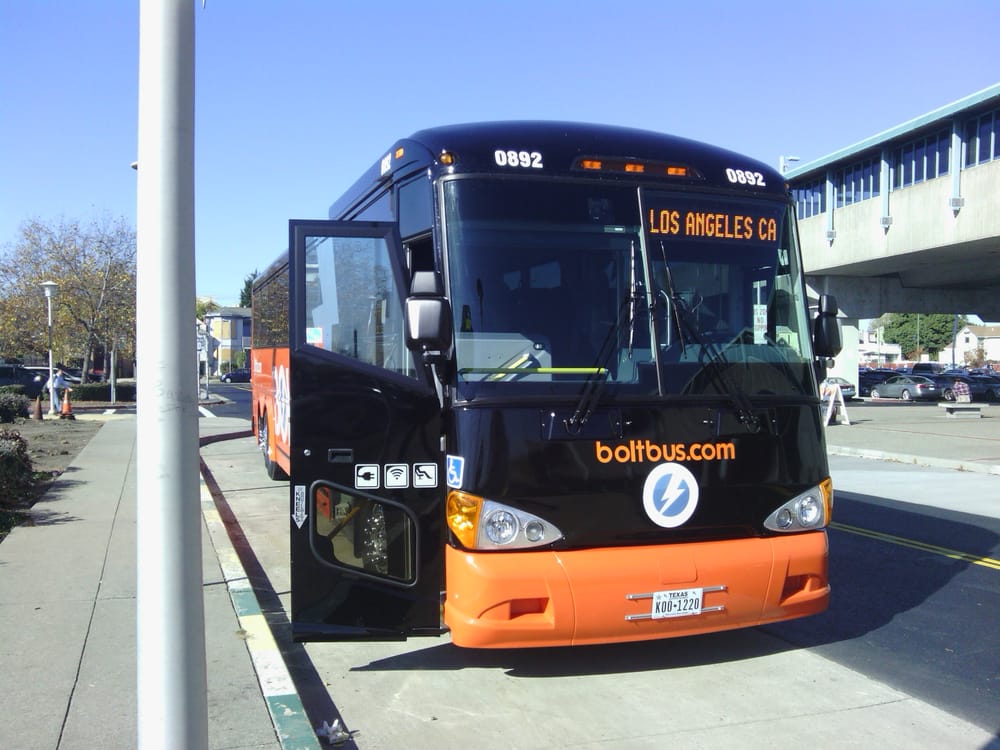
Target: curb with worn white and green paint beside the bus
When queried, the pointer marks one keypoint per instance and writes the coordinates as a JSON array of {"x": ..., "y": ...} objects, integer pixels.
[{"x": 288, "y": 716}]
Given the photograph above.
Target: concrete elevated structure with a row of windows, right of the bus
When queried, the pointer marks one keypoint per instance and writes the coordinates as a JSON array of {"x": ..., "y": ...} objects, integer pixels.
[{"x": 907, "y": 220}]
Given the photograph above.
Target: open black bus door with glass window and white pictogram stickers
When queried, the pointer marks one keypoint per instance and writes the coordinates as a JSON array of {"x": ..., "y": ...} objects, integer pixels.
[{"x": 366, "y": 489}]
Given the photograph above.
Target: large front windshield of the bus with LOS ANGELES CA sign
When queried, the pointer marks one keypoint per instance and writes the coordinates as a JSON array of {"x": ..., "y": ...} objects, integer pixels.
[{"x": 646, "y": 292}]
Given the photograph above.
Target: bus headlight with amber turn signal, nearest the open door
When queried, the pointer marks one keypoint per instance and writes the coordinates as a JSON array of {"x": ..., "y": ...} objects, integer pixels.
[{"x": 485, "y": 524}]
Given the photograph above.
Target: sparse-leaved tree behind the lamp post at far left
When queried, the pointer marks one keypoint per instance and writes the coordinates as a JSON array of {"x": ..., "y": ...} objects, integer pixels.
[{"x": 94, "y": 310}]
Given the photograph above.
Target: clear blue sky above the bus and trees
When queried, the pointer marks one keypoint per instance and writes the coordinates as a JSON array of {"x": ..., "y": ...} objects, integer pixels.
[{"x": 296, "y": 98}]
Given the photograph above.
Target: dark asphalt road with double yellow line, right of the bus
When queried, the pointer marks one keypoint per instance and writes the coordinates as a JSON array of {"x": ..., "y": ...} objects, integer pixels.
[{"x": 915, "y": 587}]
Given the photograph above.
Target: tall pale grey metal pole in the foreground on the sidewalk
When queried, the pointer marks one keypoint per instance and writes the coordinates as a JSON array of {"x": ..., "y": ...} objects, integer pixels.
[{"x": 171, "y": 671}]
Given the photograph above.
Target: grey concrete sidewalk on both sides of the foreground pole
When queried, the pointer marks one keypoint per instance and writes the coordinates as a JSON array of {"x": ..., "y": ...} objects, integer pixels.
[{"x": 68, "y": 617}]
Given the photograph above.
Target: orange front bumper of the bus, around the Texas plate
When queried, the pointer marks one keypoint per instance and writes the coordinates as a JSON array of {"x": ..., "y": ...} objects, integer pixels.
[{"x": 561, "y": 598}]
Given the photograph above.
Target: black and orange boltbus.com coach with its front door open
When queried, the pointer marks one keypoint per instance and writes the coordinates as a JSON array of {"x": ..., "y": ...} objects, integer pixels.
[{"x": 547, "y": 384}]
